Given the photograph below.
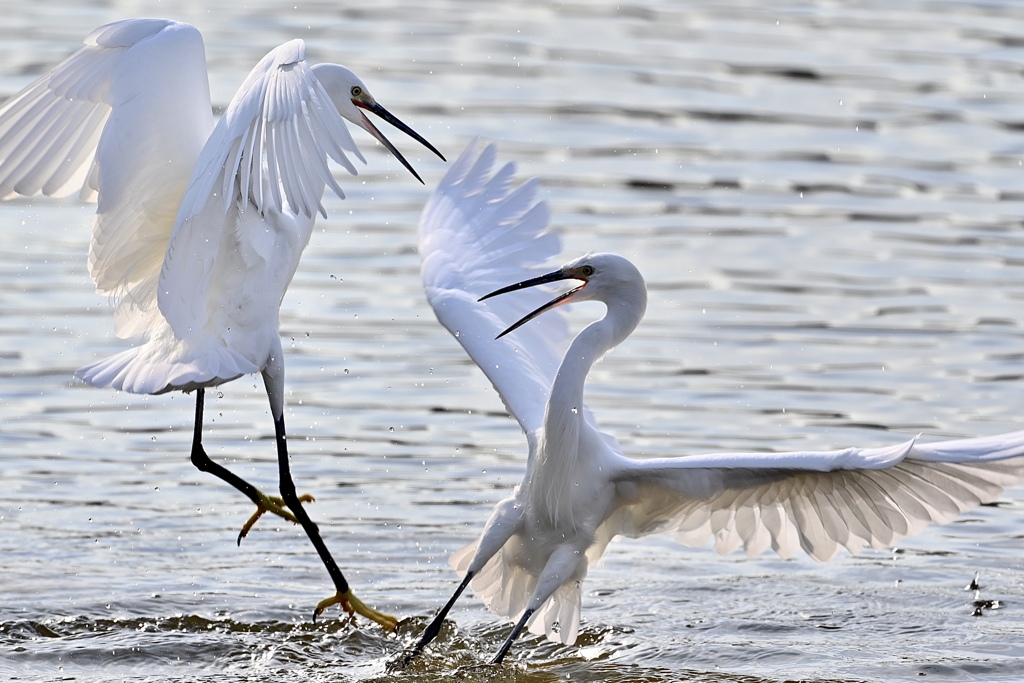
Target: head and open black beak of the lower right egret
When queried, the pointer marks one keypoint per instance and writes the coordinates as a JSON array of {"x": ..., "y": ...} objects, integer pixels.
[{"x": 608, "y": 278}]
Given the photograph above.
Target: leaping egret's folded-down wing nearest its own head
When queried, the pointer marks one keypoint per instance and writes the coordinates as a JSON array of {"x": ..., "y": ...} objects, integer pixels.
[{"x": 268, "y": 155}]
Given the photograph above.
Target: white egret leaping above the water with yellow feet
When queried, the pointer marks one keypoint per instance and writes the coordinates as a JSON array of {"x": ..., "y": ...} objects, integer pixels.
[{"x": 199, "y": 228}]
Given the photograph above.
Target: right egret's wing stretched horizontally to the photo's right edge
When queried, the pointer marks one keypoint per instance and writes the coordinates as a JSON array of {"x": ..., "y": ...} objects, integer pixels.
[{"x": 815, "y": 501}]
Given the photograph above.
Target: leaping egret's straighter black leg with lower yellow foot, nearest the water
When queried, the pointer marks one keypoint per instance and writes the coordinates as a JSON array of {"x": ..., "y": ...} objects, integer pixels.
[{"x": 345, "y": 596}]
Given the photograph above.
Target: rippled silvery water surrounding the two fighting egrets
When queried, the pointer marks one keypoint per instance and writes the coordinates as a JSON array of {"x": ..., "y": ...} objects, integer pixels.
[{"x": 826, "y": 200}]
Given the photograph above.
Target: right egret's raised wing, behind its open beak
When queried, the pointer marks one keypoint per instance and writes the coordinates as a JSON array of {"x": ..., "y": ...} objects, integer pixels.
[{"x": 478, "y": 235}]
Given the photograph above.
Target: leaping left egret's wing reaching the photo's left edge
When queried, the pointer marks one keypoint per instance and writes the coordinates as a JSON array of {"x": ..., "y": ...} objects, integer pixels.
[{"x": 121, "y": 121}]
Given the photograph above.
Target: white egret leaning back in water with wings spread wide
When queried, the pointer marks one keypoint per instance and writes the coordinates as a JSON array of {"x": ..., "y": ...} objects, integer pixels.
[{"x": 580, "y": 490}]
